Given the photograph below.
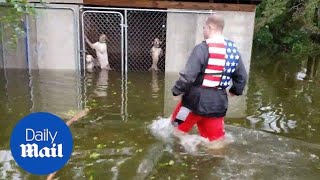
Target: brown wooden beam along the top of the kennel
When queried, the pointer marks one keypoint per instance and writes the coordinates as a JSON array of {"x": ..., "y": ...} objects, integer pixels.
[{"x": 172, "y": 5}]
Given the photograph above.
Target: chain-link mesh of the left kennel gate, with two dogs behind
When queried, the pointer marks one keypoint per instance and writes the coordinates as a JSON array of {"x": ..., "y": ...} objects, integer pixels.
[{"x": 96, "y": 23}]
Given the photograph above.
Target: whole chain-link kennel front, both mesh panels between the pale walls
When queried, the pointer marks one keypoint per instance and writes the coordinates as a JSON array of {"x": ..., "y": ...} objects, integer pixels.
[{"x": 142, "y": 29}]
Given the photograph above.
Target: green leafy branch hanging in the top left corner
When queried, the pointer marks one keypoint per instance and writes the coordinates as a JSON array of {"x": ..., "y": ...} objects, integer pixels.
[{"x": 12, "y": 16}]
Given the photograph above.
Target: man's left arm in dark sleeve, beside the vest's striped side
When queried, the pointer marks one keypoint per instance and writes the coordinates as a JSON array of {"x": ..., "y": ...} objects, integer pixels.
[{"x": 189, "y": 74}]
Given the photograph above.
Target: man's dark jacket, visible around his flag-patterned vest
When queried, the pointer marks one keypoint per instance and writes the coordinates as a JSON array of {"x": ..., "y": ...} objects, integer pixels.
[{"x": 201, "y": 100}]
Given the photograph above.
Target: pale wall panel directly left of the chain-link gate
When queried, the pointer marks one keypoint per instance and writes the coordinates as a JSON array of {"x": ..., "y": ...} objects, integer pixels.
[{"x": 54, "y": 38}]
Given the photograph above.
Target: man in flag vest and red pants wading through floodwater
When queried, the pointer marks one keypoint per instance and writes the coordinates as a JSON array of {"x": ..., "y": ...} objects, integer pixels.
[{"x": 211, "y": 67}]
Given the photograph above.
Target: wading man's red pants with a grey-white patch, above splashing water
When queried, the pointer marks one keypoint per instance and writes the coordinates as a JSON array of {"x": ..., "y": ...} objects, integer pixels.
[{"x": 210, "y": 128}]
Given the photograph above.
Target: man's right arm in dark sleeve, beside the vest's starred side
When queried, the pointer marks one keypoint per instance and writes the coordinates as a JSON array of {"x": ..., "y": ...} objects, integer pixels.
[{"x": 239, "y": 79}]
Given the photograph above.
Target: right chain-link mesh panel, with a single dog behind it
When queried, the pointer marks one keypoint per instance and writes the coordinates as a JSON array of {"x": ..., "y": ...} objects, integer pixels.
[{"x": 143, "y": 28}]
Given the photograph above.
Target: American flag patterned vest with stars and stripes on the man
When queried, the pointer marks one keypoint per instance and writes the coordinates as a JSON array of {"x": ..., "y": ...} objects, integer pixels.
[{"x": 222, "y": 62}]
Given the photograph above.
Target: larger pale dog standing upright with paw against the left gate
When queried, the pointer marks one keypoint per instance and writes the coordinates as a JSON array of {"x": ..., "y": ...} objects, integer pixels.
[{"x": 101, "y": 50}]
